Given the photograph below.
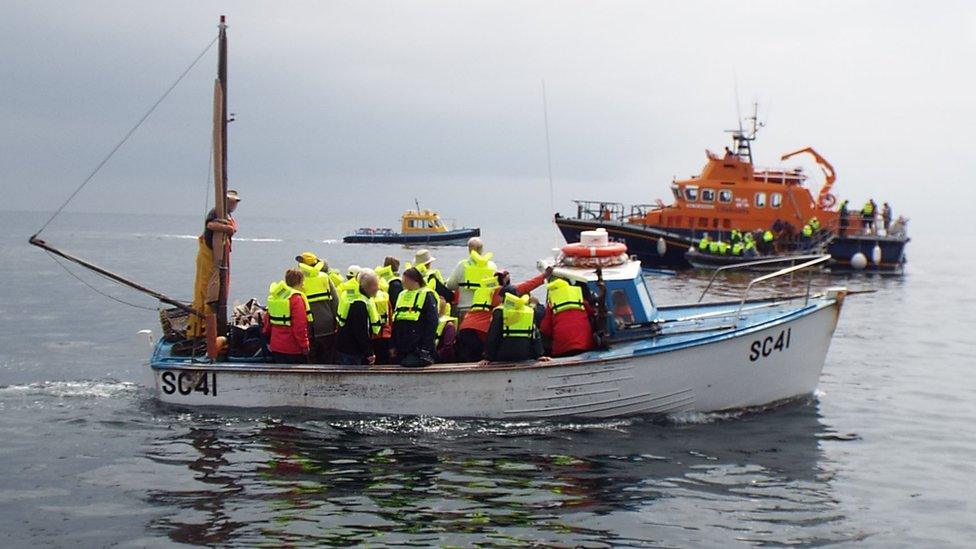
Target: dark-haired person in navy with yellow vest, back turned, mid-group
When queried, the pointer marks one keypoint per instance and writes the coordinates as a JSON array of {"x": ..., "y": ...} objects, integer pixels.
[{"x": 415, "y": 322}]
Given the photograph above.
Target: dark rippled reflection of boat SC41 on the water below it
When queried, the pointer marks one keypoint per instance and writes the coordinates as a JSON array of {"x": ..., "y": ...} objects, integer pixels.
[{"x": 302, "y": 479}]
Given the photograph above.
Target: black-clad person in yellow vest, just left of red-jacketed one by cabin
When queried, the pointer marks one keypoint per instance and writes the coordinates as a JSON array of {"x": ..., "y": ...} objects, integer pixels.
[{"x": 513, "y": 336}]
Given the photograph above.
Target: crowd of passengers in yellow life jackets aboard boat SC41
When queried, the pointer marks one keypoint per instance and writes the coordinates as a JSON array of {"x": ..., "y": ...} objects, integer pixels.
[{"x": 417, "y": 317}]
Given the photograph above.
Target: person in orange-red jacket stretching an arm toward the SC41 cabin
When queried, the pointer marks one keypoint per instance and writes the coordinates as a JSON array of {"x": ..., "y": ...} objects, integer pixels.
[{"x": 473, "y": 331}]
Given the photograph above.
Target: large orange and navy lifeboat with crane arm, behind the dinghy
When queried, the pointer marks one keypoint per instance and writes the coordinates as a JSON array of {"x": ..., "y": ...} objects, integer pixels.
[{"x": 731, "y": 193}]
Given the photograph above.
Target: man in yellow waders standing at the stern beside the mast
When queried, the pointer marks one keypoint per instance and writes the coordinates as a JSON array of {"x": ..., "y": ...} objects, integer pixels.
[{"x": 206, "y": 284}]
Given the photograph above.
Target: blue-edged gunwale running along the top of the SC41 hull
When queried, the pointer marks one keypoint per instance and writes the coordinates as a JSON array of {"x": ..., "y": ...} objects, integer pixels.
[{"x": 468, "y": 367}]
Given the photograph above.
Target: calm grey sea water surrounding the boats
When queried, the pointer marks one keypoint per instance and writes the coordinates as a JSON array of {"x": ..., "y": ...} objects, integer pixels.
[{"x": 881, "y": 454}]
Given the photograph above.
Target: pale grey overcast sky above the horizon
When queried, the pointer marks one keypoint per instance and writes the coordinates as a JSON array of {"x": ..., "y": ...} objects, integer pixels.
[{"x": 349, "y": 105}]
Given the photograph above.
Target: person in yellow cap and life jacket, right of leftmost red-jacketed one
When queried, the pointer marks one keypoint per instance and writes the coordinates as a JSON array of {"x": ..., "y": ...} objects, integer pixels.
[{"x": 323, "y": 298}]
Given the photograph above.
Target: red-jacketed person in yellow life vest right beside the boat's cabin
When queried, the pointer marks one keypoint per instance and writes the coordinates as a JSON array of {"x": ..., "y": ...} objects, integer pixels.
[{"x": 568, "y": 319}]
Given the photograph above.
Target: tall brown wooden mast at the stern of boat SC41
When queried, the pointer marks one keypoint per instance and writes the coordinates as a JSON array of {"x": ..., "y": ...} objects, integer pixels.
[{"x": 220, "y": 248}]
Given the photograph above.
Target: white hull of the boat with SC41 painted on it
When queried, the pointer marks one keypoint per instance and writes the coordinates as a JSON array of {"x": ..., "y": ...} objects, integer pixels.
[{"x": 758, "y": 366}]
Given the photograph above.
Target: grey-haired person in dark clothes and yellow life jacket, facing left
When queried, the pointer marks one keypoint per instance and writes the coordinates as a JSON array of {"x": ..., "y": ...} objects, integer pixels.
[{"x": 358, "y": 319}]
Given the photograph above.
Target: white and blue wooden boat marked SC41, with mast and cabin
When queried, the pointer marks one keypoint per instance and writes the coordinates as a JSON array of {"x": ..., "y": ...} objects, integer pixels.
[{"x": 651, "y": 360}]
